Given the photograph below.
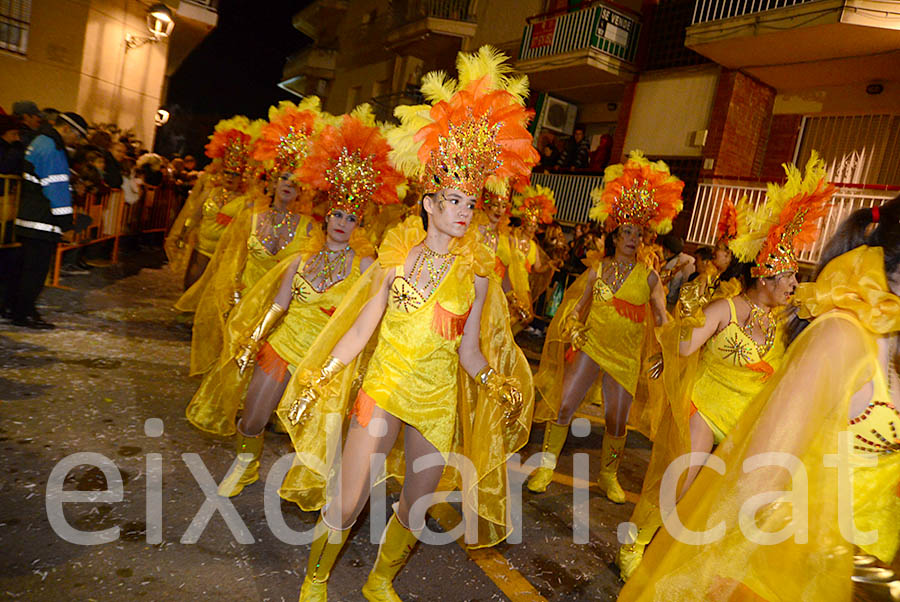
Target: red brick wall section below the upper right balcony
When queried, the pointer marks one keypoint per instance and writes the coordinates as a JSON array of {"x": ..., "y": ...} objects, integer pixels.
[{"x": 739, "y": 125}]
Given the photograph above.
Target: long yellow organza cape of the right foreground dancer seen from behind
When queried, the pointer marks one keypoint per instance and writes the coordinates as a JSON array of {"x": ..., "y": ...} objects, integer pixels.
[{"x": 798, "y": 416}]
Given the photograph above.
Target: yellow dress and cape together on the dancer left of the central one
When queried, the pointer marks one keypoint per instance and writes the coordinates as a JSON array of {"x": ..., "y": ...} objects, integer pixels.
[{"x": 221, "y": 394}]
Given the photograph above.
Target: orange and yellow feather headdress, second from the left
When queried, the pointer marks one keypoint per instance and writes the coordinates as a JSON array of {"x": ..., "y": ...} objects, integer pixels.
[{"x": 284, "y": 142}]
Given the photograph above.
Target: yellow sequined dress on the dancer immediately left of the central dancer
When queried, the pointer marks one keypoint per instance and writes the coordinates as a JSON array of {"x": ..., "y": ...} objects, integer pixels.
[{"x": 308, "y": 313}]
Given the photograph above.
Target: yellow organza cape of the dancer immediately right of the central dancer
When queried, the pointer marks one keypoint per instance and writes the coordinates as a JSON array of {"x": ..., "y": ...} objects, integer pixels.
[{"x": 647, "y": 407}]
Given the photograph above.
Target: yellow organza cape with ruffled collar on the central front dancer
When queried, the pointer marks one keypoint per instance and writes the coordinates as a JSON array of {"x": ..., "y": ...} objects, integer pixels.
[{"x": 481, "y": 431}]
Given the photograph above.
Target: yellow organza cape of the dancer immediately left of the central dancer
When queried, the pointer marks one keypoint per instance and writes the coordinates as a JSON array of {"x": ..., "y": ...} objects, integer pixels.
[{"x": 221, "y": 395}]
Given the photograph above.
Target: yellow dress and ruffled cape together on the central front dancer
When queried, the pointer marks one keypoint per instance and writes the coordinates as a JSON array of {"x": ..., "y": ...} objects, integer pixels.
[{"x": 412, "y": 371}]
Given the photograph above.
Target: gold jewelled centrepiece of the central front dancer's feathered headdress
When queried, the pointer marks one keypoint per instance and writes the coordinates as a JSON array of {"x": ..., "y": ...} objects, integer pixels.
[{"x": 465, "y": 156}]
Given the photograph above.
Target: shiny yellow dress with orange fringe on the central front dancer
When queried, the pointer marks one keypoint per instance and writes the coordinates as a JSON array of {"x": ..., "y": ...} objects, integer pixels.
[{"x": 413, "y": 371}]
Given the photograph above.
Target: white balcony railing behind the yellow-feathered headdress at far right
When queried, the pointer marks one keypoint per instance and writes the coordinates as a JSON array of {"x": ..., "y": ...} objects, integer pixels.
[{"x": 711, "y": 195}]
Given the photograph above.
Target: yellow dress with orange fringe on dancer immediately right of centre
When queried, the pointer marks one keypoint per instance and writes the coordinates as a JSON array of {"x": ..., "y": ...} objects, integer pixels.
[{"x": 616, "y": 325}]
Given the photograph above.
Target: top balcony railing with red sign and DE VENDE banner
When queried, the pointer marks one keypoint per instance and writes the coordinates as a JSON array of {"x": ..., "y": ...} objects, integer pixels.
[{"x": 599, "y": 27}]
